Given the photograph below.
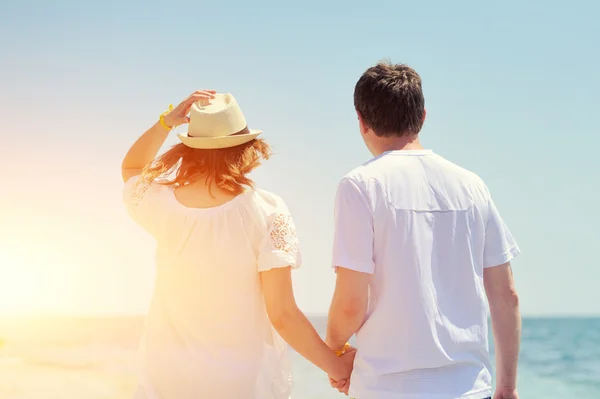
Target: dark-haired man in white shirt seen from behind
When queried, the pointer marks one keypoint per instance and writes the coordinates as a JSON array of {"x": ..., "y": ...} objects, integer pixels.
[{"x": 418, "y": 244}]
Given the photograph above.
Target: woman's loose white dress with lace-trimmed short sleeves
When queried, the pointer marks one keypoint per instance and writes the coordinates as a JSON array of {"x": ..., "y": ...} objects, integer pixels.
[{"x": 207, "y": 334}]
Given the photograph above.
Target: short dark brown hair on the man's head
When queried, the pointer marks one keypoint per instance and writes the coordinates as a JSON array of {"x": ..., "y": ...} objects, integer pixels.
[{"x": 390, "y": 99}]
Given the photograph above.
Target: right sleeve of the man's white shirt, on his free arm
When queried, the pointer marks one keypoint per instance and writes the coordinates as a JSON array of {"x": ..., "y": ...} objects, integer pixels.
[{"x": 499, "y": 246}]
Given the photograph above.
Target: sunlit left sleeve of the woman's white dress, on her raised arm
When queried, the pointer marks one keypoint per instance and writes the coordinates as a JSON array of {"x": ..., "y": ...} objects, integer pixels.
[{"x": 144, "y": 203}]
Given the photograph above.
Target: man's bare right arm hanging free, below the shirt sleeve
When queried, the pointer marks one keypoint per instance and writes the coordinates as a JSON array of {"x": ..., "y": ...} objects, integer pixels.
[{"x": 506, "y": 324}]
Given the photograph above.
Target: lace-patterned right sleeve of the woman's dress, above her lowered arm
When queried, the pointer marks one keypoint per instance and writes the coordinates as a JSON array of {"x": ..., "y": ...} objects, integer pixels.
[{"x": 280, "y": 246}]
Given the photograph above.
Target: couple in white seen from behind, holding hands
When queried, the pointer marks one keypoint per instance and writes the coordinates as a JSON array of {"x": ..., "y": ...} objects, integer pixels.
[{"x": 420, "y": 251}]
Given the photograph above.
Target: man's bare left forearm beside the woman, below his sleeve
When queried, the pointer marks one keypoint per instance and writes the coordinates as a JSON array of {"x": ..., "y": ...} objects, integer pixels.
[{"x": 348, "y": 307}]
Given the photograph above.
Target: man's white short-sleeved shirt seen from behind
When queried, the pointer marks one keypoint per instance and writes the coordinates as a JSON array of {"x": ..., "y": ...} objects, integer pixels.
[{"x": 425, "y": 229}]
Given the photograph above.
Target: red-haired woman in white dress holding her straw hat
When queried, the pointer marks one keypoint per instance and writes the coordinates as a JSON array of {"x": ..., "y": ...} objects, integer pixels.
[{"x": 223, "y": 296}]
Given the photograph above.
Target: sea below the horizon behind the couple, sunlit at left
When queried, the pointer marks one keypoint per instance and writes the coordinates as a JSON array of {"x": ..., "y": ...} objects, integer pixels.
[{"x": 92, "y": 358}]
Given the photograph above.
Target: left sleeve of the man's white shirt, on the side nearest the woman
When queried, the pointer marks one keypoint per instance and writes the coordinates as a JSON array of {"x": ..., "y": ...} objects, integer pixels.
[{"x": 353, "y": 229}]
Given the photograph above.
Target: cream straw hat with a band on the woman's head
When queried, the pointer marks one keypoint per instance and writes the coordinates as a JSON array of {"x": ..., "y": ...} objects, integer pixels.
[{"x": 217, "y": 123}]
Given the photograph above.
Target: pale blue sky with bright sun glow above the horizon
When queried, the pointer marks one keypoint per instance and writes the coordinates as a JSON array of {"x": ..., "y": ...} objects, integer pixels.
[{"x": 511, "y": 91}]
